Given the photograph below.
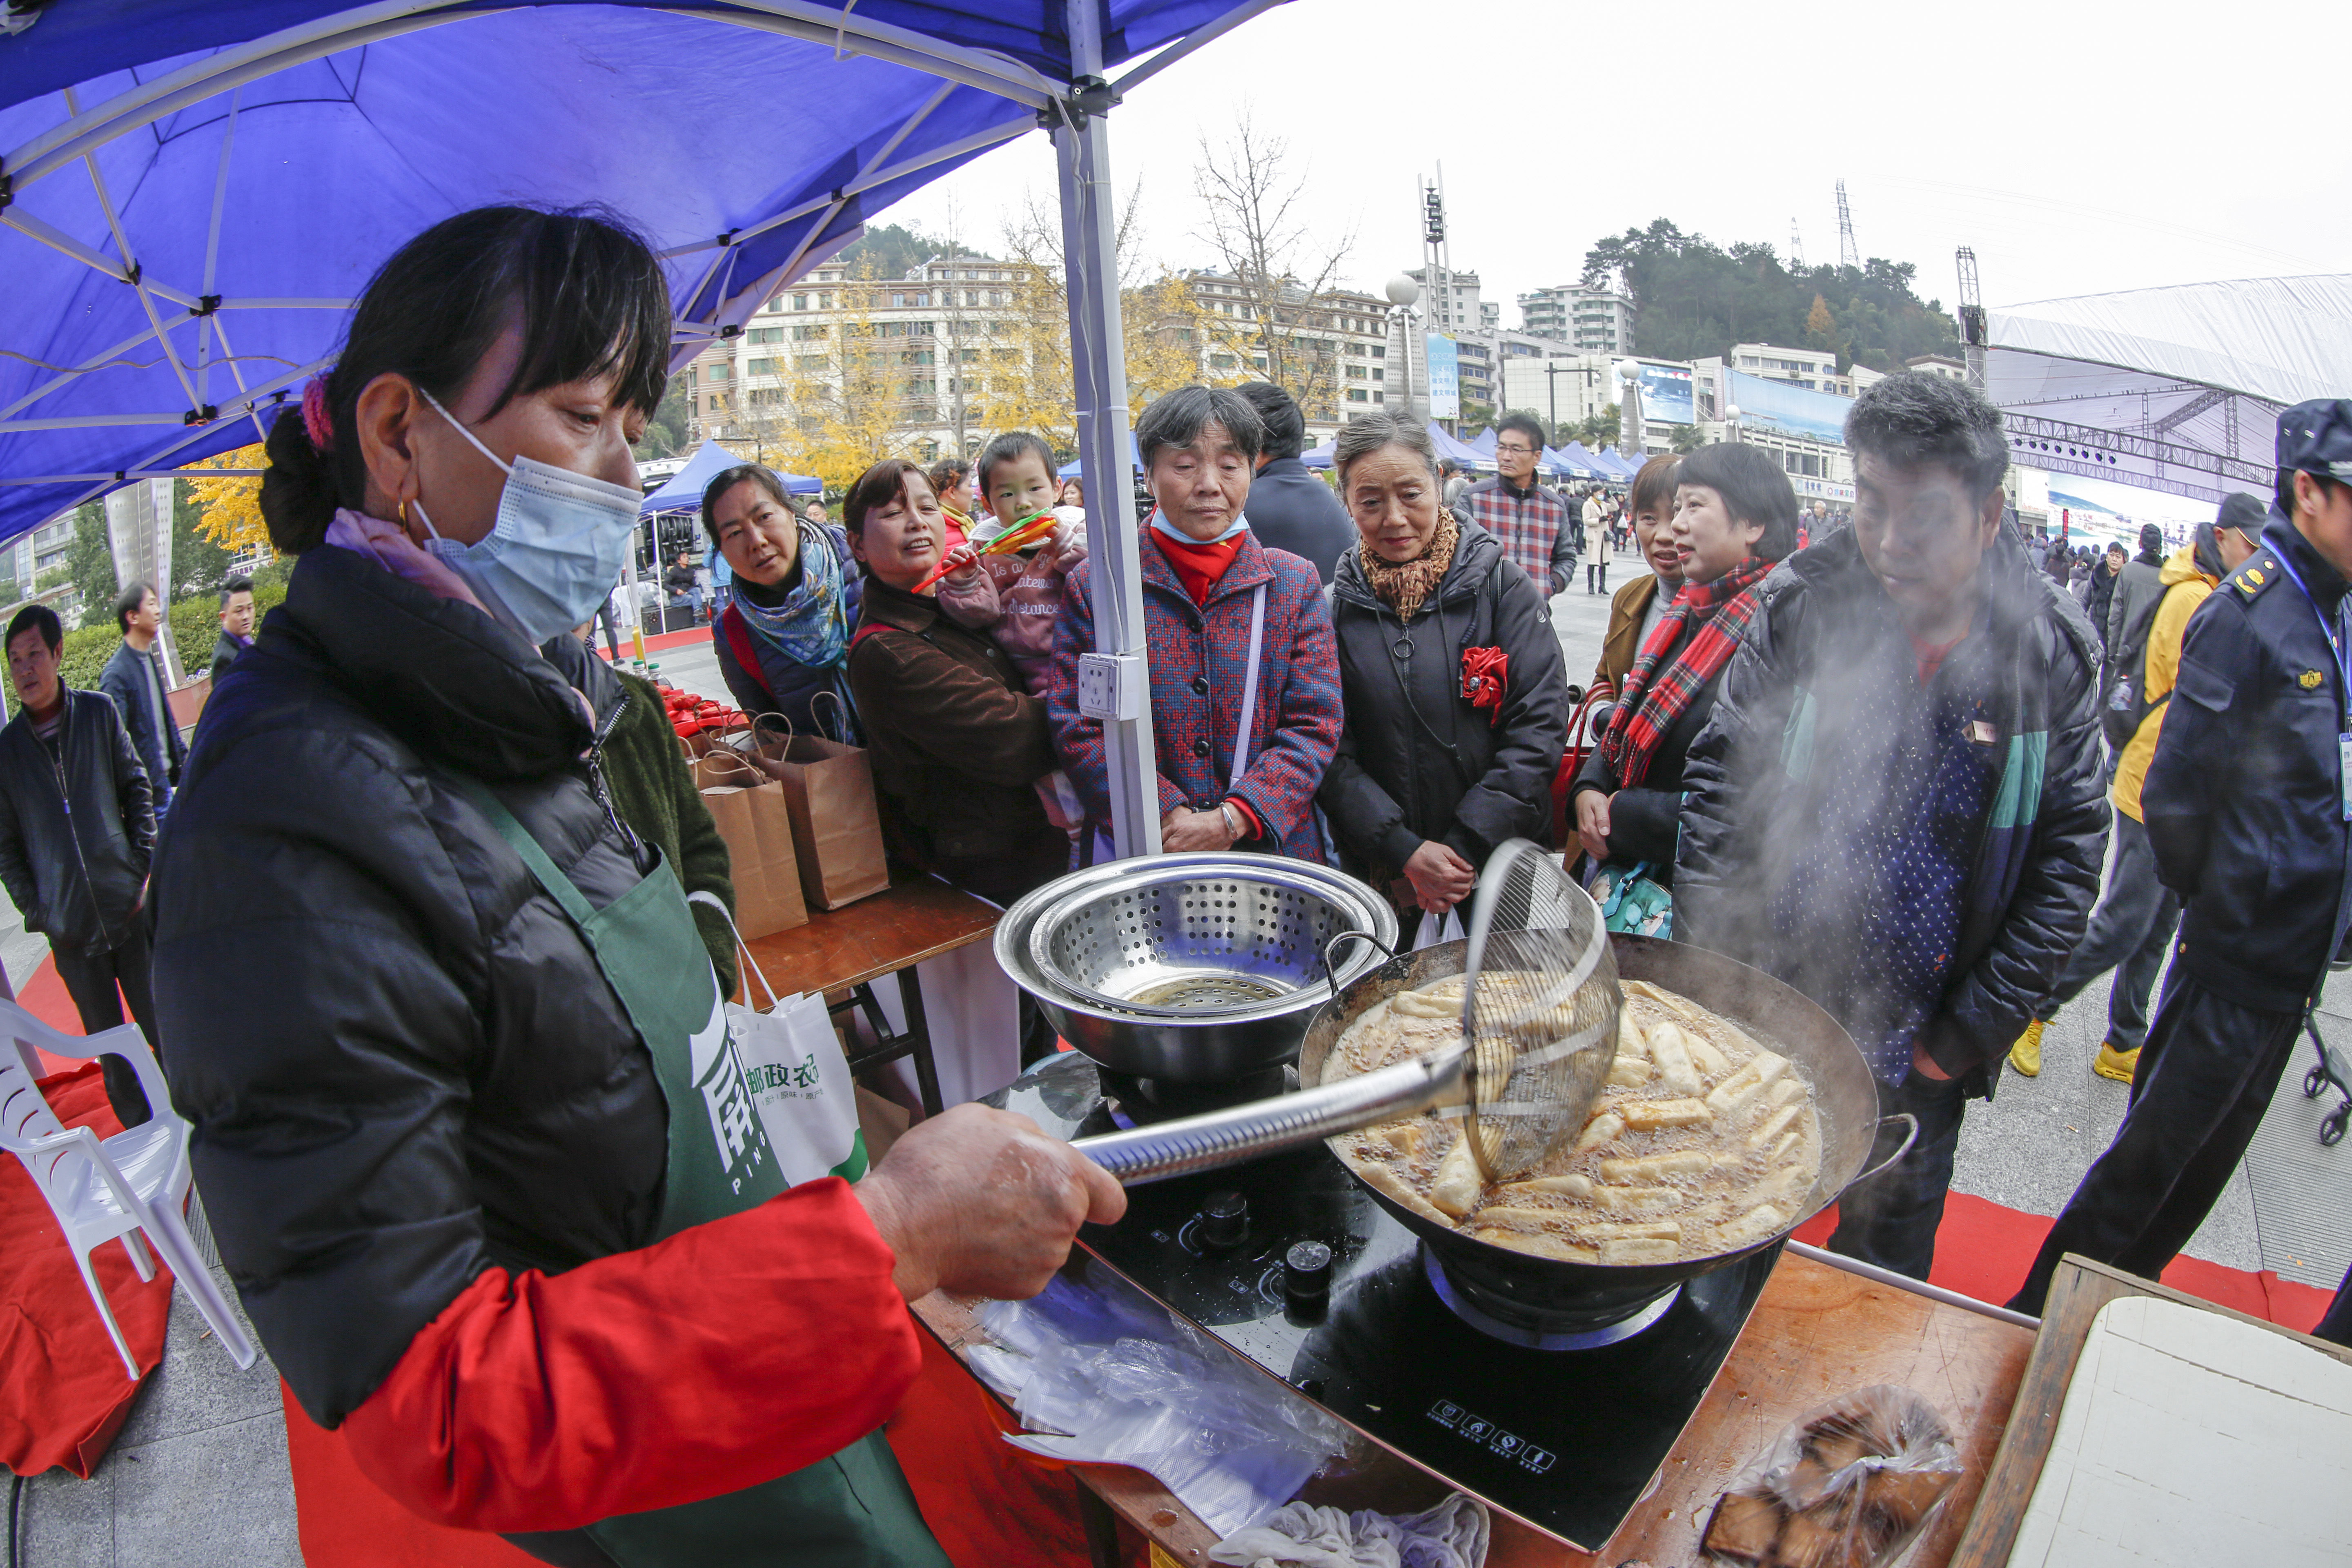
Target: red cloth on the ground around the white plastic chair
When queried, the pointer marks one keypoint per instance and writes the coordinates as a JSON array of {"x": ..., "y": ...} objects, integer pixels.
[{"x": 65, "y": 1395}]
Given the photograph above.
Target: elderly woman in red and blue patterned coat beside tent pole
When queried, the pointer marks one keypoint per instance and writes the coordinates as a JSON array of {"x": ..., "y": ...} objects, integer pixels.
[{"x": 1227, "y": 624}]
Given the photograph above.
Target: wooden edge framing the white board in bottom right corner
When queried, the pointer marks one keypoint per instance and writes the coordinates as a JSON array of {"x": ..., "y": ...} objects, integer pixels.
[{"x": 2078, "y": 1292}]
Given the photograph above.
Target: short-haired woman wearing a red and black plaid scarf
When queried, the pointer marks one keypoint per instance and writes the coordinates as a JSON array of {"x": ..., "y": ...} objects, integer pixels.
[{"x": 1735, "y": 518}]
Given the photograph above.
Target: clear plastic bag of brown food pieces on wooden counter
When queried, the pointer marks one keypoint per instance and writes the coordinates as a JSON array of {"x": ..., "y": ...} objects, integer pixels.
[{"x": 1845, "y": 1487}]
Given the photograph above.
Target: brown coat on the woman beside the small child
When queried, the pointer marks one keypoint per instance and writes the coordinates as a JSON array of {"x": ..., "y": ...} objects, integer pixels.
[{"x": 956, "y": 744}]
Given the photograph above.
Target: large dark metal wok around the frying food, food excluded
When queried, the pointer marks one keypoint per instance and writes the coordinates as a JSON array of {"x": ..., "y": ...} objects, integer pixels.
[{"x": 1845, "y": 1099}]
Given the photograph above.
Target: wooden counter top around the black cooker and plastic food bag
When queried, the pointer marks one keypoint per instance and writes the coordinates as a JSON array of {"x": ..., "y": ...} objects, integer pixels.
[{"x": 1817, "y": 1334}]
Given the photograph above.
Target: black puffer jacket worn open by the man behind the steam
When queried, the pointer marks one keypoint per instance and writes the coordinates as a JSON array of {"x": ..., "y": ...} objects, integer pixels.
[{"x": 1782, "y": 739}]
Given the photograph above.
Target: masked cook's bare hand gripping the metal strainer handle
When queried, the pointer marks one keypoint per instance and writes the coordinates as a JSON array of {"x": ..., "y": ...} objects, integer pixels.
[{"x": 982, "y": 1202}]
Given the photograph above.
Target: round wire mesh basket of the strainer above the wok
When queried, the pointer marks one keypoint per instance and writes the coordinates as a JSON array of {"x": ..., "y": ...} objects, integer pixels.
[{"x": 1539, "y": 1010}]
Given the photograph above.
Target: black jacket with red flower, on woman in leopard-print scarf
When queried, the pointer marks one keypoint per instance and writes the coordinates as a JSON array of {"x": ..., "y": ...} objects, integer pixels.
[{"x": 1415, "y": 760}]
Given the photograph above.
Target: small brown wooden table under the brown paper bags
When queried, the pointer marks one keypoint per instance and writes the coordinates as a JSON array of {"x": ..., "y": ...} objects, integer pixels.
[{"x": 918, "y": 918}]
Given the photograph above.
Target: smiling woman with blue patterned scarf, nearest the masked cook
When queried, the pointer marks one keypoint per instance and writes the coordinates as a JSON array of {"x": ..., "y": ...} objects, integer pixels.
[{"x": 784, "y": 624}]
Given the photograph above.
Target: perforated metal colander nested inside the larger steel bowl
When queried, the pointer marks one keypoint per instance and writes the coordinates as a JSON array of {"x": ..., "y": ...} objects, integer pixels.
[{"x": 1205, "y": 942}]
